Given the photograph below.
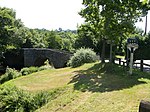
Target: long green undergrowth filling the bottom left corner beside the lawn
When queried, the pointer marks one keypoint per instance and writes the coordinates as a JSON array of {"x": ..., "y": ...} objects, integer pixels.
[{"x": 13, "y": 99}]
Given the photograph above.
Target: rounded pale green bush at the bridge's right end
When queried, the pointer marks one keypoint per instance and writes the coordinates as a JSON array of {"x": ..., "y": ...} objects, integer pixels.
[{"x": 82, "y": 56}]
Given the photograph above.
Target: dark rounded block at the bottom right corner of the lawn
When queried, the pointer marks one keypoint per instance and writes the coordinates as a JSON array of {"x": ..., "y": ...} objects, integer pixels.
[{"x": 144, "y": 106}]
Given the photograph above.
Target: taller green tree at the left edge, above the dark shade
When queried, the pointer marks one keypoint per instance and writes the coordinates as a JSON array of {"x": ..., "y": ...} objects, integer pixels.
[{"x": 9, "y": 27}]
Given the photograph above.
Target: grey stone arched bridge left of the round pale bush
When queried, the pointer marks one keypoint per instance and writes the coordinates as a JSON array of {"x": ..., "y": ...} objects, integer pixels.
[{"x": 37, "y": 57}]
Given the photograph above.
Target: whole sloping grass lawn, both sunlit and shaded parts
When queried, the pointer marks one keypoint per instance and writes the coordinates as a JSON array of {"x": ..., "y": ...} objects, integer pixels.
[{"x": 92, "y": 87}]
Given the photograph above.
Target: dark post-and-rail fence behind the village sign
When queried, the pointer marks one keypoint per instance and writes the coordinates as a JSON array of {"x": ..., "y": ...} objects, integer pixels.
[{"x": 141, "y": 63}]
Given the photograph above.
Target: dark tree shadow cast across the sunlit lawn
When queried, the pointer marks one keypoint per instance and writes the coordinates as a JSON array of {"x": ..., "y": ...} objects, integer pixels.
[{"x": 106, "y": 77}]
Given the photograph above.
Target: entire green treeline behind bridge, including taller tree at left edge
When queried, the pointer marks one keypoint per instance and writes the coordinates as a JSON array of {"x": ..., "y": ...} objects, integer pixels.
[{"x": 14, "y": 35}]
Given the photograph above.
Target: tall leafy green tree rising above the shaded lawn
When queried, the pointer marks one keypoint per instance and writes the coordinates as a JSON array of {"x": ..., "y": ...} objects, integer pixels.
[{"x": 112, "y": 19}]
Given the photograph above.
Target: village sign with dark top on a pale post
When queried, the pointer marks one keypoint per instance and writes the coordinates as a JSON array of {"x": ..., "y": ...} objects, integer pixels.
[{"x": 132, "y": 45}]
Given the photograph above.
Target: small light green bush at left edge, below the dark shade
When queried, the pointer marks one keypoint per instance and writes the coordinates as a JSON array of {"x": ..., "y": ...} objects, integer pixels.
[{"x": 10, "y": 74}]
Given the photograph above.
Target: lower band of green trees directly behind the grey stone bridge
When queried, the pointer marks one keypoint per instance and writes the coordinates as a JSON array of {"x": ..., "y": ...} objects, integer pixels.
[{"x": 41, "y": 38}]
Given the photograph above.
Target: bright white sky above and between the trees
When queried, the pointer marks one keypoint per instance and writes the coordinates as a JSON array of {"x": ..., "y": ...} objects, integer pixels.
[{"x": 51, "y": 14}]
